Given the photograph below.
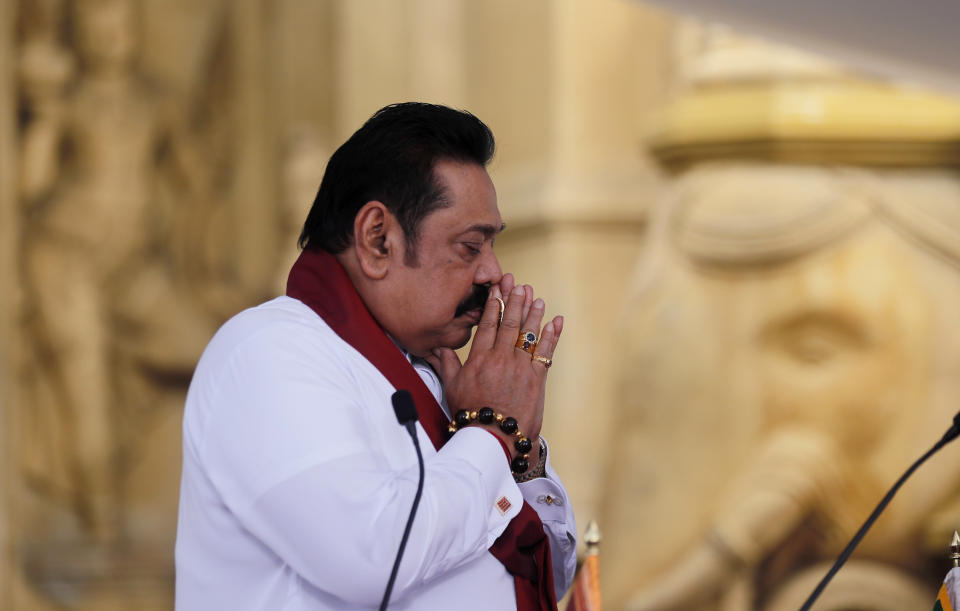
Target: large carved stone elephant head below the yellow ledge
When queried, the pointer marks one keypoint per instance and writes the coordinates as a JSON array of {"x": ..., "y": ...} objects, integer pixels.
[{"x": 789, "y": 351}]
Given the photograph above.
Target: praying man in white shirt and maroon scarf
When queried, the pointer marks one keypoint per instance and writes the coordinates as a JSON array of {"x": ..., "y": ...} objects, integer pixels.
[{"x": 298, "y": 481}]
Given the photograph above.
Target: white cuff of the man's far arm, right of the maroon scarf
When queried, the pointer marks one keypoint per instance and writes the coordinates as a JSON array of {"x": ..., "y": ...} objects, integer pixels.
[{"x": 549, "y": 498}]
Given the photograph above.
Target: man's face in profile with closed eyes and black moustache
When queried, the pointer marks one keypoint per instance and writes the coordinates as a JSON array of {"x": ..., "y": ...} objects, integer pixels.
[{"x": 438, "y": 299}]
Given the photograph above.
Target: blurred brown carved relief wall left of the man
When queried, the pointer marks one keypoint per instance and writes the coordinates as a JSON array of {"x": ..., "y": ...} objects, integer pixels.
[{"x": 125, "y": 276}]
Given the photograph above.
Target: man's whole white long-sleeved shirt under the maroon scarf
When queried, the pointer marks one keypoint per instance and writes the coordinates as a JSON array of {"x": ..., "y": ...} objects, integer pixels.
[{"x": 297, "y": 483}]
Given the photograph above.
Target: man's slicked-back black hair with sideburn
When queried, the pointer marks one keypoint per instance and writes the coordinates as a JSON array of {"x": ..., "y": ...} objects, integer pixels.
[{"x": 391, "y": 159}]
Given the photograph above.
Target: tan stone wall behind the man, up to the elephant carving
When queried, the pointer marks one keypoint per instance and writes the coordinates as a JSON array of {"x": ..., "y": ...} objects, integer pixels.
[{"x": 161, "y": 157}]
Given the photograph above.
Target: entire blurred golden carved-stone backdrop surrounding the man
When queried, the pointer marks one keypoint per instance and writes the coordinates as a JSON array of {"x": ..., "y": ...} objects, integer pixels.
[{"x": 749, "y": 216}]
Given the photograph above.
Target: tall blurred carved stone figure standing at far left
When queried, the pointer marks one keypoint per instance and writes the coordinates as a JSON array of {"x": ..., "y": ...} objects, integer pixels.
[{"x": 106, "y": 178}]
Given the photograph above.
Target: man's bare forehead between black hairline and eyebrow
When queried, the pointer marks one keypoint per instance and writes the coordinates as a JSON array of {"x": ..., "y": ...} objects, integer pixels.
[{"x": 471, "y": 196}]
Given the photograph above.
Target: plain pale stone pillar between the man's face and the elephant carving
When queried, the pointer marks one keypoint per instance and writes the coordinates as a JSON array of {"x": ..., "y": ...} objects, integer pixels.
[{"x": 567, "y": 86}]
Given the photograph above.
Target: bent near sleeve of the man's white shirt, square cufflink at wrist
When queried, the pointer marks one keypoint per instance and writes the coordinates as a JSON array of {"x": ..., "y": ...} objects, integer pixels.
[{"x": 302, "y": 464}]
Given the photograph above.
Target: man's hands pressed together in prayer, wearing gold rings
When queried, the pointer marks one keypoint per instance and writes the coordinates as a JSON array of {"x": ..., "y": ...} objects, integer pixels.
[{"x": 496, "y": 373}]
